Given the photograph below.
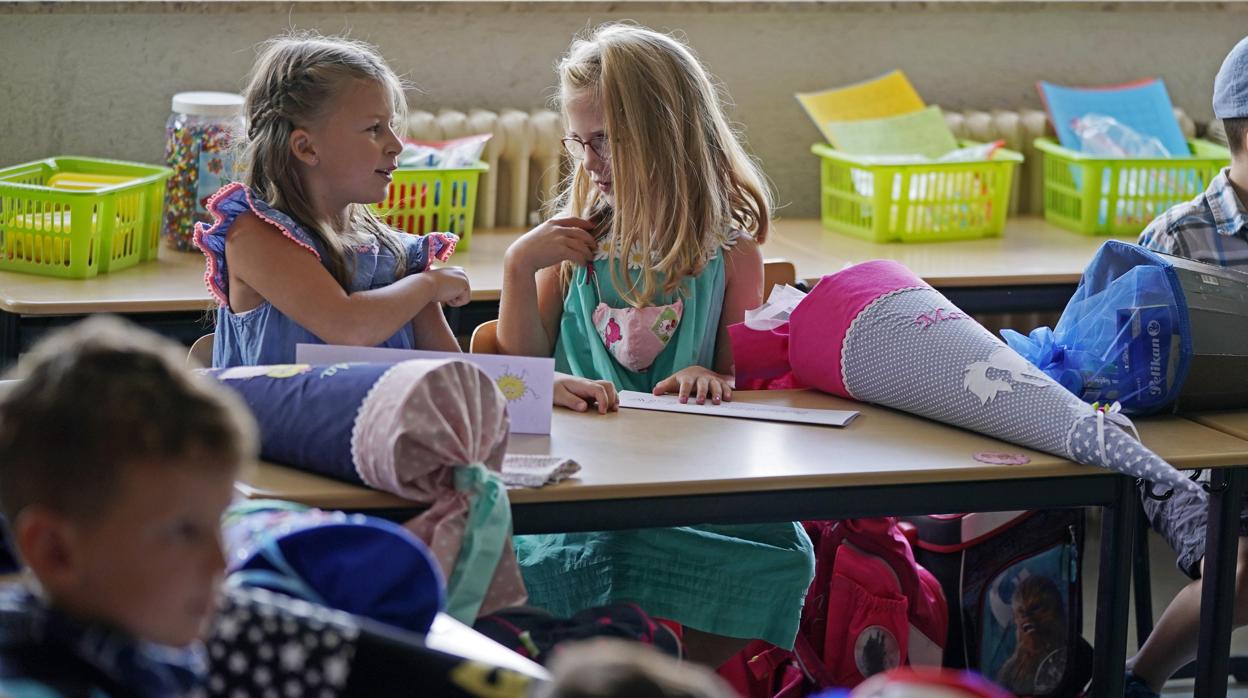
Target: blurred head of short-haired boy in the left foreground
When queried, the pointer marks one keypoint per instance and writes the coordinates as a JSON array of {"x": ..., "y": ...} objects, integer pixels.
[{"x": 115, "y": 466}]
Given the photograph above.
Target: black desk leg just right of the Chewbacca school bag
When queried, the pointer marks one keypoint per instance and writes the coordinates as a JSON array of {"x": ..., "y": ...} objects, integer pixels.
[{"x": 1114, "y": 591}]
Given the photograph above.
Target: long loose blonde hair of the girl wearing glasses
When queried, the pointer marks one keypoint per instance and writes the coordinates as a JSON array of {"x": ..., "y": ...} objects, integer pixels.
[{"x": 678, "y": 170}]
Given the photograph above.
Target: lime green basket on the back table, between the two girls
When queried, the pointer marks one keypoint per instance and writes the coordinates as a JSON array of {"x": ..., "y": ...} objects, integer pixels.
[{"x": 432, "y": 200}]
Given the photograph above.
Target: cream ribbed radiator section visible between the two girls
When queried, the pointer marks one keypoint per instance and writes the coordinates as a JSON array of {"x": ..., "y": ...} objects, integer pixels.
[{"x": 525, "y": 157}]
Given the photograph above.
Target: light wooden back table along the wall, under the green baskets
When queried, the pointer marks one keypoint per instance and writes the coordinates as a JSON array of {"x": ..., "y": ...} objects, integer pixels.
[{"x": 1033, "y": 268}]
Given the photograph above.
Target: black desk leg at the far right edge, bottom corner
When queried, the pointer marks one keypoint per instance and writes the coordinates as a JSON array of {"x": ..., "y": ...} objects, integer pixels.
[{"x": 1219, "y": 582}]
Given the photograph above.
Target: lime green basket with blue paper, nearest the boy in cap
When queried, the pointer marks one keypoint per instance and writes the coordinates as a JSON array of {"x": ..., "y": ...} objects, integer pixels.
[{"x": 1095, "y": 195}]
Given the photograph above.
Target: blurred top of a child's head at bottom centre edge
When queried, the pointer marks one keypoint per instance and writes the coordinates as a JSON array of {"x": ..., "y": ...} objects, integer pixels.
[{"x": 617, "y": 669}]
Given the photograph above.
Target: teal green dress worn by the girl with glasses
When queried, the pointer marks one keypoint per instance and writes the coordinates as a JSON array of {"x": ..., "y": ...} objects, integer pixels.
[{"x": 739, "y": 581}]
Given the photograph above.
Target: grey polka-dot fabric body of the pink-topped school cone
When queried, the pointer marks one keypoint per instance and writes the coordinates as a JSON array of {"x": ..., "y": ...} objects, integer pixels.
[{"x": 914, "y": 350}]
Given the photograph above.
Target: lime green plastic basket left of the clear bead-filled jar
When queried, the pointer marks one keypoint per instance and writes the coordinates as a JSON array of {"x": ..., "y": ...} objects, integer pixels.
[{"x": 77, "y": 234}]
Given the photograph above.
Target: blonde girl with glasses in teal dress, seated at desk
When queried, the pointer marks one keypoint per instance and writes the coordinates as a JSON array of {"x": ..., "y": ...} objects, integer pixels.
[{"x": 655, "y": 253}]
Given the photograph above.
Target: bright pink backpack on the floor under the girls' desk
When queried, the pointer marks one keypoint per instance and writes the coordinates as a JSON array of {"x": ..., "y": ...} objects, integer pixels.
[{"x": 870, "y": 609}]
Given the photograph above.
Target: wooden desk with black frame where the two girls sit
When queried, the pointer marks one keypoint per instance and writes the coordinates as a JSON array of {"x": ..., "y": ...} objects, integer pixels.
[{"x": 652, "y": 469}]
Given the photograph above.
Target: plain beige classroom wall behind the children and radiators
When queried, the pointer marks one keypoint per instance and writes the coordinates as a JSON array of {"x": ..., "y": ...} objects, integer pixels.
[{"x": 97, "y": 78}]
